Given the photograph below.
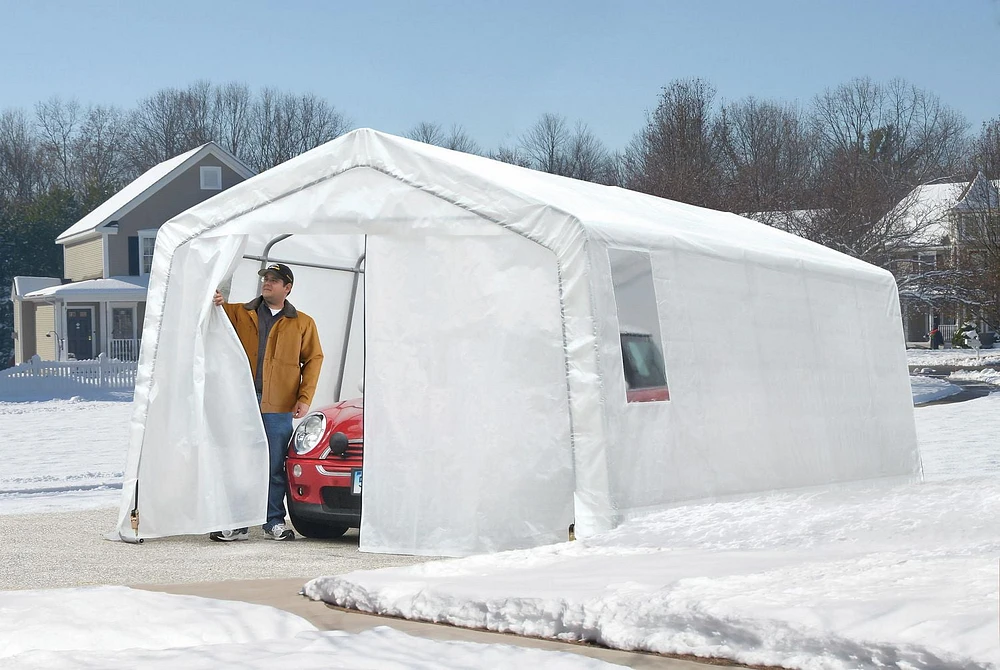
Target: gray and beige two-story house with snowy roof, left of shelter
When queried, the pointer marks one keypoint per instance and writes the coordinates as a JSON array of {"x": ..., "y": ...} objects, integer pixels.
[{"x": 98, "y": 306}]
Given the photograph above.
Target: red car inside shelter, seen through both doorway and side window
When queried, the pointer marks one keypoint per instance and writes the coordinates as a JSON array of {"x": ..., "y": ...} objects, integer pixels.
[{"x": 325, "y": 453}]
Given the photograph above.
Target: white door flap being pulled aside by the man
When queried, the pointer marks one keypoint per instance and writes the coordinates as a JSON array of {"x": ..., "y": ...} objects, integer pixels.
[{"x": 211, "y": 473}]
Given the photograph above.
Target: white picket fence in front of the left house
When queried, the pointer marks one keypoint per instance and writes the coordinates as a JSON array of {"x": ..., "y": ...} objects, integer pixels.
[{"x": 38, "y": 376}]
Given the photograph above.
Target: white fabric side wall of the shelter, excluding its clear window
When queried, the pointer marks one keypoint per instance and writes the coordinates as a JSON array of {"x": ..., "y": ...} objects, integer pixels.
[{"x": 780, "y": 377}]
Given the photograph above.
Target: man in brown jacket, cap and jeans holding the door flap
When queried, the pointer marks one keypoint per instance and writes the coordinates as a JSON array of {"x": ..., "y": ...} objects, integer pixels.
[{"x": 284, "y": 353}]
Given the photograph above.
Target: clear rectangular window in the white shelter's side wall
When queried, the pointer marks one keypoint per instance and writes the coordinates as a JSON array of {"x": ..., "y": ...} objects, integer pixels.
[{"x": 638, "y": 325}]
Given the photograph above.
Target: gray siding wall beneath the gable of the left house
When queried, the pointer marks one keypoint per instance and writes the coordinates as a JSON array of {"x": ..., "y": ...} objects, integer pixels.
[{"x": 183, "y": 192}]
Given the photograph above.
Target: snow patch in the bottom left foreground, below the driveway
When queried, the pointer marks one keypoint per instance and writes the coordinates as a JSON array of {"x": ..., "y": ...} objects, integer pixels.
[{"x": 156, "y": 630}]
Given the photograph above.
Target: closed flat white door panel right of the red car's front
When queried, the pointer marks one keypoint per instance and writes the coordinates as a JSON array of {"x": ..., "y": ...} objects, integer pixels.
[{"x": 467, "y": 438}]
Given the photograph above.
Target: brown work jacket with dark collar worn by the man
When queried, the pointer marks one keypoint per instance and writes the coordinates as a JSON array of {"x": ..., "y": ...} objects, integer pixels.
[{"x": 292, "y": 359}]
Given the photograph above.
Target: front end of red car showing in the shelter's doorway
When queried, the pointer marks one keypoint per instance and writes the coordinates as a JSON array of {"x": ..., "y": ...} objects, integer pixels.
[{"x": 324, "y": 471}]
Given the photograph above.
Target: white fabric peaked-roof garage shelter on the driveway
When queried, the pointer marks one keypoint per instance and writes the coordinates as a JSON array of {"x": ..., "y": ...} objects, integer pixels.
[{"x": 490, "y": 315}]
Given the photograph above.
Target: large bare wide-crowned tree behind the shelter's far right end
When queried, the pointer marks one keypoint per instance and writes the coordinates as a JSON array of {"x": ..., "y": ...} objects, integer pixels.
[{"x": 877, "y": 143}]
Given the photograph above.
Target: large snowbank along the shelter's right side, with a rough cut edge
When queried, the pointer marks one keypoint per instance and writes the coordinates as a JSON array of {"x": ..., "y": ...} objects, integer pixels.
[{"x": 861, "y": 576}]
